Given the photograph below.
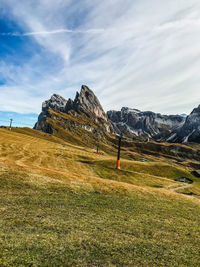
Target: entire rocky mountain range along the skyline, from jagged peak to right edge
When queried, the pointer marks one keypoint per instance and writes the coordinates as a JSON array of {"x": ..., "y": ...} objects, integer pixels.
[{"x": 85, "y": 112}]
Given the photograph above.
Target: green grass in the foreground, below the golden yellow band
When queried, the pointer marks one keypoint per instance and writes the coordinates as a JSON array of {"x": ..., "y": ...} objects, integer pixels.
[{"x": 55, "y": 226}]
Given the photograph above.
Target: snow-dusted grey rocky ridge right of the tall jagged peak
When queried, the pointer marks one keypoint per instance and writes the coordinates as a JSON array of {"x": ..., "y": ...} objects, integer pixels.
[{"x": 145, "y": 124}]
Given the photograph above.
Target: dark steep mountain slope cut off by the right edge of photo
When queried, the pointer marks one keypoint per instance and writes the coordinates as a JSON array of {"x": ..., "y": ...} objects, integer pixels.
[{"x": 189, "y": 131}]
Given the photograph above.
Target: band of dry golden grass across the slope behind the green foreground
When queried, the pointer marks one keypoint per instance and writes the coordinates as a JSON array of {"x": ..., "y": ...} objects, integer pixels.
[{"x": 45, "y": 160}]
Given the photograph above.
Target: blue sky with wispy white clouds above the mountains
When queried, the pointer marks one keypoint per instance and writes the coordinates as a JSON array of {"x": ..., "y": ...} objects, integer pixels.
[{"x": 134, "y": 53}]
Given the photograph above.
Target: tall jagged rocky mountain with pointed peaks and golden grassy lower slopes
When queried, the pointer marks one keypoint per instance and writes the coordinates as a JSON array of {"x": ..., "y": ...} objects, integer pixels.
[{"x": 82, "y": 118}]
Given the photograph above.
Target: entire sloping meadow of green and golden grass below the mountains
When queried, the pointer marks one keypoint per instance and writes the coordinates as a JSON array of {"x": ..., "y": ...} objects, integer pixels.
[{"x": 63, "y": 205}]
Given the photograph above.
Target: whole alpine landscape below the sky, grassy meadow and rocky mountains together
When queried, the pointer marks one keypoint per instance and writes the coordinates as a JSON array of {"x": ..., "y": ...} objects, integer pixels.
[{"x": 64, "y": 203}]
